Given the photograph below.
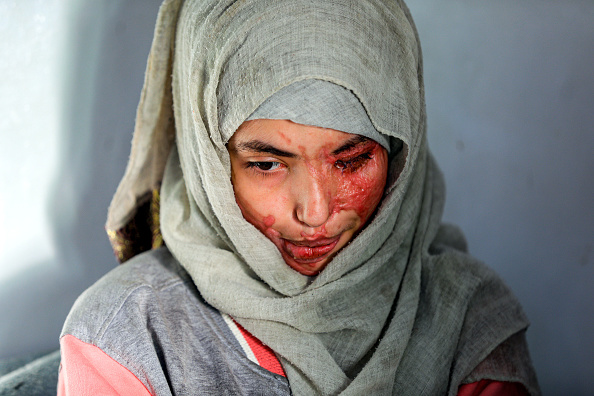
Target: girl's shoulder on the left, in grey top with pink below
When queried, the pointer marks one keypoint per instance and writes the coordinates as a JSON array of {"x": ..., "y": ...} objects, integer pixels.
[{"x": 127, "y": 315}]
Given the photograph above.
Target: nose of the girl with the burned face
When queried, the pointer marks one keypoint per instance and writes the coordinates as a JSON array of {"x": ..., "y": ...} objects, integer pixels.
[{"x": 313, "y": 206}]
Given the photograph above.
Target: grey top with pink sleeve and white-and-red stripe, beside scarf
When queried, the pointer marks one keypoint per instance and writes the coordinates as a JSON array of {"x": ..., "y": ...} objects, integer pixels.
[{"x": 154, "y": 334}]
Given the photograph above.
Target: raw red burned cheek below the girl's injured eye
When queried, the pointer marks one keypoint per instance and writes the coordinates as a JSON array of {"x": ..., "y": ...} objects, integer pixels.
[{"x": 362, "y": 191}]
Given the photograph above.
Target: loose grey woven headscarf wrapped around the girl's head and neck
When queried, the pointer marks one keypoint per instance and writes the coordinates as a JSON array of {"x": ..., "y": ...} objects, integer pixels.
[{"x": 399, "y": 309}]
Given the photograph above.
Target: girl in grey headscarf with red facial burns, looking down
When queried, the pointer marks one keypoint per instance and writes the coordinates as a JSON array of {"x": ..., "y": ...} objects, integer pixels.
[{"x": 300, "y": 212}]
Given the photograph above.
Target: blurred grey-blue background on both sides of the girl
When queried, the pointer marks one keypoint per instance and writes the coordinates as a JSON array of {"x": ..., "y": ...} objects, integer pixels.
[{"x": 510, "y": 102}]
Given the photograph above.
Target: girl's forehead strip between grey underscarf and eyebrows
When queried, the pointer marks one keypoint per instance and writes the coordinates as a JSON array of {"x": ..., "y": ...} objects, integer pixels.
[{"x": 292, "y": 137}]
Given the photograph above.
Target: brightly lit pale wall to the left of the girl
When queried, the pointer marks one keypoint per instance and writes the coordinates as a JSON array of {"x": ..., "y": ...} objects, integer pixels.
[{"x": 72, "y": 71}]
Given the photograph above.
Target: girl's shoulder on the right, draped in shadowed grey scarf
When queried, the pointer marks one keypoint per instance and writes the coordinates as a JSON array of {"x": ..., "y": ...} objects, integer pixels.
[{"x": 485, "y": 317}]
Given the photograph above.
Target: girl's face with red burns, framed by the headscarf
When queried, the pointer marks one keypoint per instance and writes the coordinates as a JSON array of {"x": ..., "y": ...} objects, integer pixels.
[{"x": 308, "y": 189}]
